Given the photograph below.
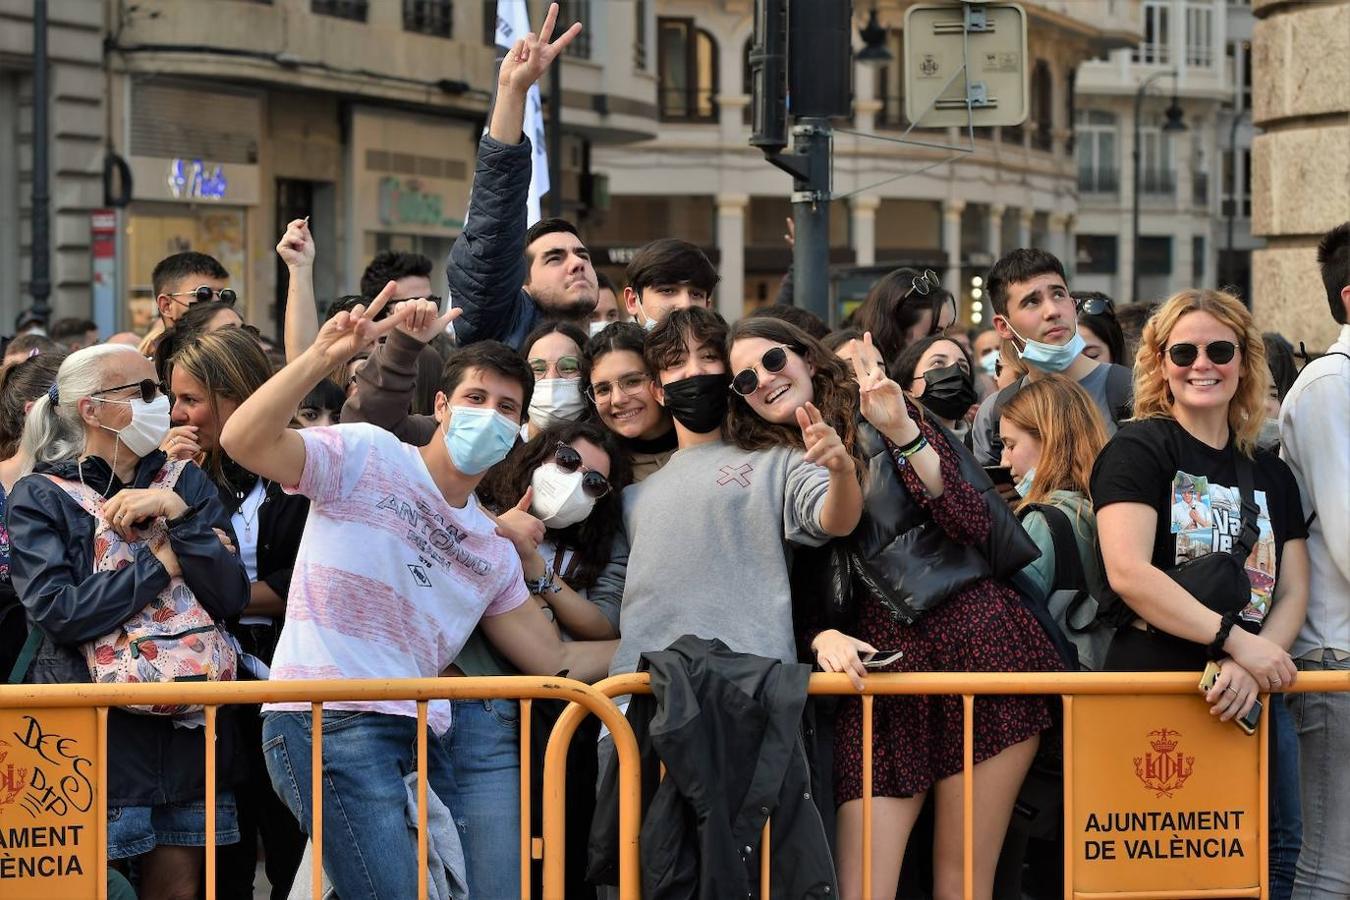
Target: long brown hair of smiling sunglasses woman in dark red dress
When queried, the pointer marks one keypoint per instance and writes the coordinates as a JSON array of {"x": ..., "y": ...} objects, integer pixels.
[{"x": 836, "y": 395}]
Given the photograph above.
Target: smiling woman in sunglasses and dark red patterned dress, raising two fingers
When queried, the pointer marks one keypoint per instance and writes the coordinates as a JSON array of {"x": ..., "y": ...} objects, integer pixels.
[{"x": 913, "y": 482}]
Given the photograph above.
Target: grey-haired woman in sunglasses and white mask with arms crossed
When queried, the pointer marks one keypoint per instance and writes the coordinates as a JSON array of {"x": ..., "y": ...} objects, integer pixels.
[{"x": 95, "y": 437}]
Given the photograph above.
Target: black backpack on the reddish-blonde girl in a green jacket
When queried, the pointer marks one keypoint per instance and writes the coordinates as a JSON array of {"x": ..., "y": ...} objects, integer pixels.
[{"x": 1074, "y": 602}]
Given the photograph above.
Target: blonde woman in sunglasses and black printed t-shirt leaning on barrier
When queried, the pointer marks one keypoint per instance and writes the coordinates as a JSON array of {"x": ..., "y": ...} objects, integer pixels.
[{"x": 1168, "y": 490}]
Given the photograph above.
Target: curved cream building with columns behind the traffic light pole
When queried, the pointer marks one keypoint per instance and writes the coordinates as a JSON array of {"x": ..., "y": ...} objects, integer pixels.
[{"x": 703, "y": 181}]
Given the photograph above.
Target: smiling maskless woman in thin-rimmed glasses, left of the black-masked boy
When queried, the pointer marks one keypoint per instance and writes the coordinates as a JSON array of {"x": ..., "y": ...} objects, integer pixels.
[{"x": 623, "y": 392}]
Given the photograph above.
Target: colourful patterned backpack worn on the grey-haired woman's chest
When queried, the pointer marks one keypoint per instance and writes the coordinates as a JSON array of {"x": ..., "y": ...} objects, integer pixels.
[{"x": 173, "y": 639}]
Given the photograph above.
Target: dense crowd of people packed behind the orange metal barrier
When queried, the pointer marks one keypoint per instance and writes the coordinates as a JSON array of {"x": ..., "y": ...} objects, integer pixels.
[{"x": 550, "y": 474}]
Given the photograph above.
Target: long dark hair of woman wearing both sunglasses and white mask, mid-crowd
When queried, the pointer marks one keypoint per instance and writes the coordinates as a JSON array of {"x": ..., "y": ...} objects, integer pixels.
[{"x": 591, "y": 539}]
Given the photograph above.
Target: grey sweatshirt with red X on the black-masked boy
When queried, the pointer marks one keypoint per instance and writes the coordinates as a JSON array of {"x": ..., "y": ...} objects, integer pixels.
[{"x": 708, "y": 551}]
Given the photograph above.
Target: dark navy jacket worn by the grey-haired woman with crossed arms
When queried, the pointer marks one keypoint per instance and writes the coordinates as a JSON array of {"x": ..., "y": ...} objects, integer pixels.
[{"x": 53, "y": 573}]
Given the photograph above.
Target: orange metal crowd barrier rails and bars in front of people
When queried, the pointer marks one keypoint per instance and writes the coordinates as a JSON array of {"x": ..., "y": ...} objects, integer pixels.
[{"x": 599, "y": 701}]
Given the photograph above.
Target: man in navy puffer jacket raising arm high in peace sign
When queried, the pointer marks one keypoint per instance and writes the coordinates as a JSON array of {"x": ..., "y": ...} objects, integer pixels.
[{"x": 504, "y": 277}]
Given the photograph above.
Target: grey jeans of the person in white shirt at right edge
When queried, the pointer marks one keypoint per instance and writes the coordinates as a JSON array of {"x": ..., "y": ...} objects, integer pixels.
[{"x": 1324, "y": 725}]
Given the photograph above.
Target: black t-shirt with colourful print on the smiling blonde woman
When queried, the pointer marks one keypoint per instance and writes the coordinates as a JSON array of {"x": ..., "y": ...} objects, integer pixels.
[{"x": 1194, "y": 489}]
